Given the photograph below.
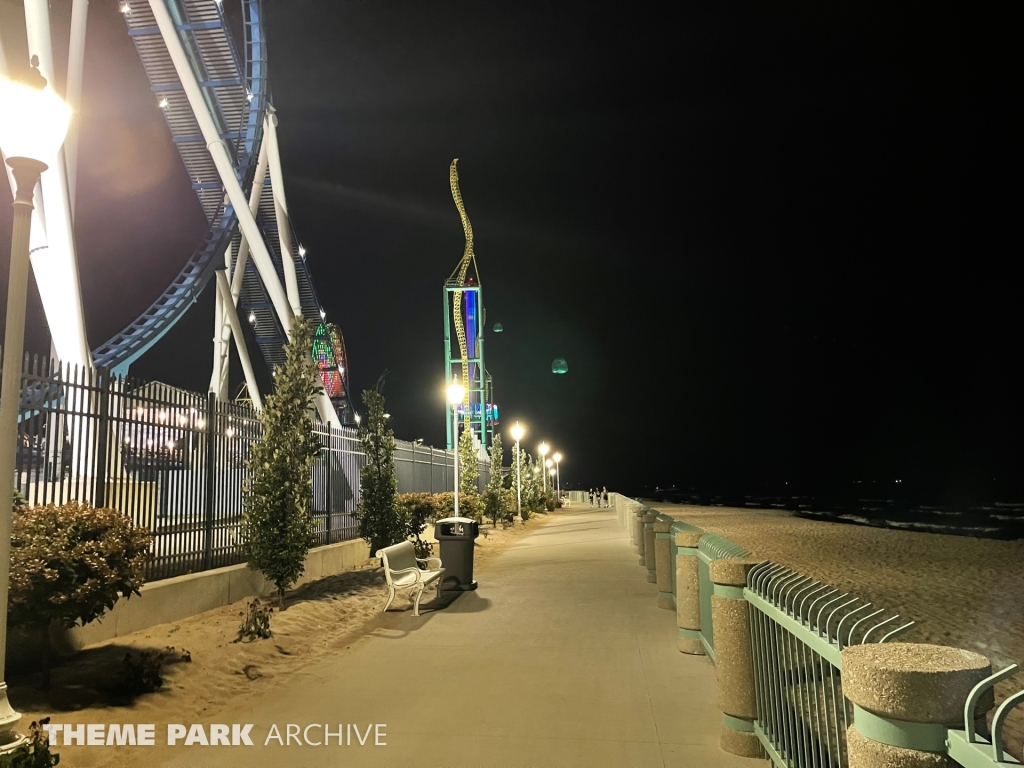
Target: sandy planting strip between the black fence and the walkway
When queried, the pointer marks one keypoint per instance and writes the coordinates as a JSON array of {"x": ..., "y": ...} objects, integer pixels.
[{"x": 325, "y": 619}]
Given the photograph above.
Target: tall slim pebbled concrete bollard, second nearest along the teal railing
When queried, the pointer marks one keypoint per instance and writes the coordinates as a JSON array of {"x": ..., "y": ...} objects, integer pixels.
[{"x": 734, "y": 657}]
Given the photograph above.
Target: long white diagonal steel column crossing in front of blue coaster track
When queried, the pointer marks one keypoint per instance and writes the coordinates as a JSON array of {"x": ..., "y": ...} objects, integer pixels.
[{"x": 219, "y": 152}]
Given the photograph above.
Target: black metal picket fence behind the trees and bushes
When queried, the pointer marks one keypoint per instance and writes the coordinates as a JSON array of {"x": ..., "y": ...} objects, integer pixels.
[{"x": 176, "y": 462}]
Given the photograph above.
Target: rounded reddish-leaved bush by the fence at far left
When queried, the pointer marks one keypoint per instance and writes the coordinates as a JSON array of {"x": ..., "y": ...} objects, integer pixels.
[{"x": 70, "y": 565}]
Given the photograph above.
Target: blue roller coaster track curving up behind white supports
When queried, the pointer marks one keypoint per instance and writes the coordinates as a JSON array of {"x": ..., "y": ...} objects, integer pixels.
[{"x": 236, "y": 89}]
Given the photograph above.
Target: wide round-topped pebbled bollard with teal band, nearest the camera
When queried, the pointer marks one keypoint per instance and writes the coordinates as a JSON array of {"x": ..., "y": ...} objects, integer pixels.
[{"x": 905, "y": 696}]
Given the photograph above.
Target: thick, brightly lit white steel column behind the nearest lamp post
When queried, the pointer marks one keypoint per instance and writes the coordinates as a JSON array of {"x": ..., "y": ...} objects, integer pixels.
[{"x": 56, "y": 268}]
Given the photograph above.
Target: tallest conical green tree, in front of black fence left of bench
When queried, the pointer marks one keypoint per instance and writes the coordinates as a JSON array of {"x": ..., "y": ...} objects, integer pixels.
[{"x": 277, "y": 527}]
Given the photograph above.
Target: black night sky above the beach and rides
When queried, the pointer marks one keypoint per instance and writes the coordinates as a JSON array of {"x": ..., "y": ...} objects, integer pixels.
[{"x": 777, "y": 243}]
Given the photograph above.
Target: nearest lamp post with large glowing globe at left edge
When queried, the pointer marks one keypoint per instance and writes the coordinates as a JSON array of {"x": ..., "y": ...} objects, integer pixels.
[{"x": 33, "y": 125}]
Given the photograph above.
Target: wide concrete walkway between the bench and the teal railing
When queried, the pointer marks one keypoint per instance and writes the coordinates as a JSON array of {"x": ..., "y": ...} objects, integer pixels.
[{"x": 561, "y": 659}]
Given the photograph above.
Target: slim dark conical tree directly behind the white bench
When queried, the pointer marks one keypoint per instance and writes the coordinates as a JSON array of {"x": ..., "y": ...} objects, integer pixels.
[{"x": 380, "y": 519}]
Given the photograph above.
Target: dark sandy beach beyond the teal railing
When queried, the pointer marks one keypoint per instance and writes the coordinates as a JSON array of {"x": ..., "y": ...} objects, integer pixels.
[{"x": 961, "y": 591}]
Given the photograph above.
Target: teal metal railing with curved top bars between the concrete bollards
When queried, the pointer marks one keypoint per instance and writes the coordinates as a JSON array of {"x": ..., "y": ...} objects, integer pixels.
[{"x": 799, "y": 627}]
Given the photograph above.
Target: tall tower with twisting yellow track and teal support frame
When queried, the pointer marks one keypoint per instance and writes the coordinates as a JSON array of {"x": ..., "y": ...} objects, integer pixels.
[{"x": 464, "y": 354}]
